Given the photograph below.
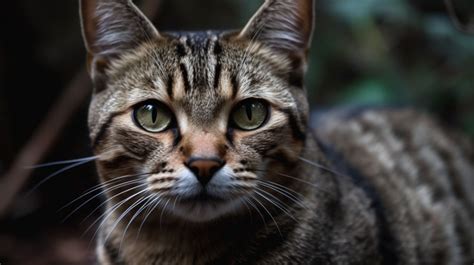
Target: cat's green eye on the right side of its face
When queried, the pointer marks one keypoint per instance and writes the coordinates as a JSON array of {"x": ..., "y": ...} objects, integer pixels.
[{"x": 250, "y": 114}]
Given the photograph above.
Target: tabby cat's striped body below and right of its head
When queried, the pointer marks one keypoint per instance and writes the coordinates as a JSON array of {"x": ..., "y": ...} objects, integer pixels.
[{"x": 373, "y": 209}]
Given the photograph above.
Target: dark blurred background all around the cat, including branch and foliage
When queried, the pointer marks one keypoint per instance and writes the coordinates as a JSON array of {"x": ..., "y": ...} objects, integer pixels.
[{"x": 416, "y": 53}]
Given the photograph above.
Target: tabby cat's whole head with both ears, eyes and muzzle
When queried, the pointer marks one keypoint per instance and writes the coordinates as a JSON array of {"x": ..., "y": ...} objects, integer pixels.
[{"x": 201, "y": 121}]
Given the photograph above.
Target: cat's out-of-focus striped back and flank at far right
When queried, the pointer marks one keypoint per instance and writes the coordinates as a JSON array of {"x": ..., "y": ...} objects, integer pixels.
[{"x": 419, "y": 175}]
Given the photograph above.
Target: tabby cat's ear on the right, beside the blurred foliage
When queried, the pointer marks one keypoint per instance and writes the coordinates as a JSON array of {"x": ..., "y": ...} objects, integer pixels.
[{"x": 284, "y": 25}]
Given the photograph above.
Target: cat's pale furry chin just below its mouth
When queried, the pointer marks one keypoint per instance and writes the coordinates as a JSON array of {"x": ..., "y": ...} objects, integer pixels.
[{"x": 205, "y": 209}]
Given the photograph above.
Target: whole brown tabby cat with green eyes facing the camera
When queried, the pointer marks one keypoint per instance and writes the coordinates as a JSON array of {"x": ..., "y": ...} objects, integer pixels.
[{"x": 206, "y": 154}]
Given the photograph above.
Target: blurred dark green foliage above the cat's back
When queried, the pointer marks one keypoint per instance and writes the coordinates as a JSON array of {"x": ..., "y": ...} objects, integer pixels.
[{"x": 393, "y": 52}]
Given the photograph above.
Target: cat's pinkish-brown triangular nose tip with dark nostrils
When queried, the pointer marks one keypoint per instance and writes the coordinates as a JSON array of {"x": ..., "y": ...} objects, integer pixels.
[{"x": 204, "y": 168}]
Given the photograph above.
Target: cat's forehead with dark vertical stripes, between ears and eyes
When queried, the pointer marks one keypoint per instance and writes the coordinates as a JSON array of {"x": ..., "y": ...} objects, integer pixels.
[{"x": 199, "y": 71}]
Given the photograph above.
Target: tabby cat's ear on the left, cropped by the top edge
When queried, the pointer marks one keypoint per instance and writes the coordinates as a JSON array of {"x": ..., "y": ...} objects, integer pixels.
[{"x": 111, "y": 28}]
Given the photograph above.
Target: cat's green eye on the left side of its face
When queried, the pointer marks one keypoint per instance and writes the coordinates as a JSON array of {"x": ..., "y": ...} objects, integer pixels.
[{"x": 153, "y": 117}]
